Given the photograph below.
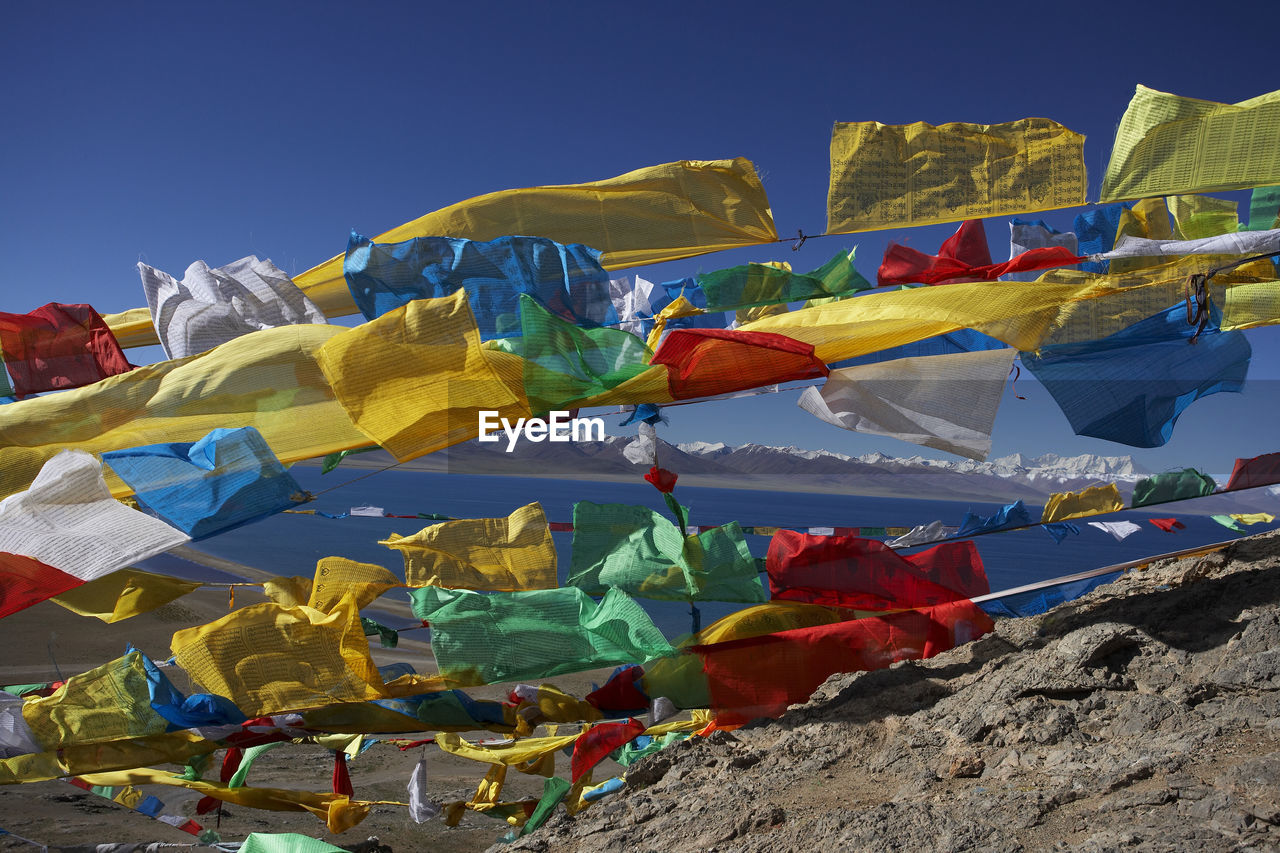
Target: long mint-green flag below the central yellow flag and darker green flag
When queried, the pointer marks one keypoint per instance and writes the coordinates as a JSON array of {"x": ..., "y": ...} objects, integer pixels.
[{"x": 520, "y": 636}]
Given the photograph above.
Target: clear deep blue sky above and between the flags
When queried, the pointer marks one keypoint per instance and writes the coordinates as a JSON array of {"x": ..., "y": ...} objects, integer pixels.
[{"x": 173, "y": 133}]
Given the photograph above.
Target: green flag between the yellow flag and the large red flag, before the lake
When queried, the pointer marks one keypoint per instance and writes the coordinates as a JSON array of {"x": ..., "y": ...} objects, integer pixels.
[{"x": 643, "y": 554}]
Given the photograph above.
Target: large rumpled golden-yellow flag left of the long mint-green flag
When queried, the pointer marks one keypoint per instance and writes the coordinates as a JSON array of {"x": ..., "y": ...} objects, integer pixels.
[{"x": 271, "y": 659}]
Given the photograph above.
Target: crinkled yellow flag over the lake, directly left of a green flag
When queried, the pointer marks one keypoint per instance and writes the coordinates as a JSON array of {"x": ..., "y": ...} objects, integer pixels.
[{"x": 502, "y": 555}]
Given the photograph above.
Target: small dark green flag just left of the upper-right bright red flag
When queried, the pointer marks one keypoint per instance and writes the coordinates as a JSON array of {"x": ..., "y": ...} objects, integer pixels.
[{"x": 755, "y": 285}]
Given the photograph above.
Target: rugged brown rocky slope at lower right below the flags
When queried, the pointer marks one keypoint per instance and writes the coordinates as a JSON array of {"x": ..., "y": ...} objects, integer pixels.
[{"x": 1144, "y": 717}]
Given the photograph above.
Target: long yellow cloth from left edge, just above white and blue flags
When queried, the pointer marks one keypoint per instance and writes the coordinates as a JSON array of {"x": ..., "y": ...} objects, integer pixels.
[{"x": 268, "y": 380}]
